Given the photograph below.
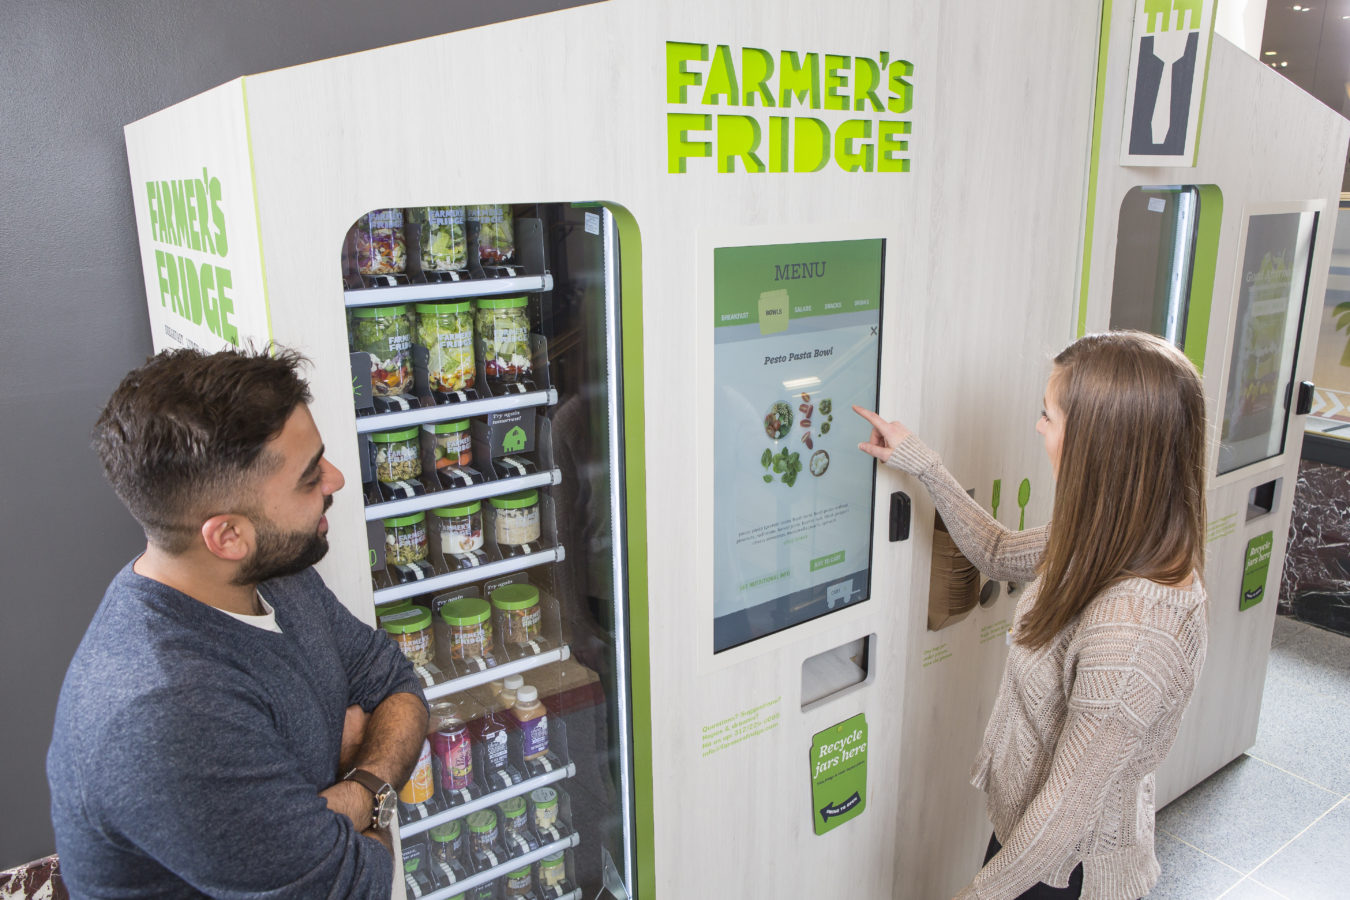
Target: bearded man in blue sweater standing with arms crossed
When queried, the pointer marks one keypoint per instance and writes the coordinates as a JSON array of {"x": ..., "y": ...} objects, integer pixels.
[{"x": 227, "y": 728}]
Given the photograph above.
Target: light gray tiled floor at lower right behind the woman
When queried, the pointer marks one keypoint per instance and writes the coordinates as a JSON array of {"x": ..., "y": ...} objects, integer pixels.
[{"x": 1274, "y": 824}]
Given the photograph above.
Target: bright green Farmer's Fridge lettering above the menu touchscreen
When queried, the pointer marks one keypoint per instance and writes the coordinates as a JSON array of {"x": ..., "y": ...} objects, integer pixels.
[{"x": 754, "y": 111}]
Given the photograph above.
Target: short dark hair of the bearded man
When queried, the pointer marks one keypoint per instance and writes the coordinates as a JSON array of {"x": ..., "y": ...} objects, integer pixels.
[{"x": 184, "y": 432}]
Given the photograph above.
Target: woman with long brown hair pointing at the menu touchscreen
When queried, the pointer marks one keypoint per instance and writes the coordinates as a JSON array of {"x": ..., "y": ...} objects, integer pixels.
[{"x": 1110, "y": 636}]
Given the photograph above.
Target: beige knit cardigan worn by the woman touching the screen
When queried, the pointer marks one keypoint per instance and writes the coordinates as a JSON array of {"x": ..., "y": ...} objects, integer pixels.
[{"x": 1081, "y": 725}]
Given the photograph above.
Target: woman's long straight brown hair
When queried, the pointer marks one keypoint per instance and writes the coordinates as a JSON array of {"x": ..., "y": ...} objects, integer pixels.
[{"x": 1129, "y": 497}]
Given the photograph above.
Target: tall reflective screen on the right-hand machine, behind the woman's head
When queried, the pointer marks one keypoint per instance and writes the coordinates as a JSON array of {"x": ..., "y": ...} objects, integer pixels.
[{"x": 1266, "y": 342}]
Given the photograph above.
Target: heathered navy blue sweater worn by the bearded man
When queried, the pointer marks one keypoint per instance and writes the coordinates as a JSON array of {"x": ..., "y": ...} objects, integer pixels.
[{"x": 190, "y": 748}]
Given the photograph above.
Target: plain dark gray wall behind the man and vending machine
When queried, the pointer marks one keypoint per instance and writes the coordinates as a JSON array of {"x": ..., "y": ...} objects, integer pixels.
[{"x": 72, "y": 298}]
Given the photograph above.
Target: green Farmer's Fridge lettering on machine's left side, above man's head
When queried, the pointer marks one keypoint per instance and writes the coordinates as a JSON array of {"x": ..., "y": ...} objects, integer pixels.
[{"x": 188, "y": 222}]
